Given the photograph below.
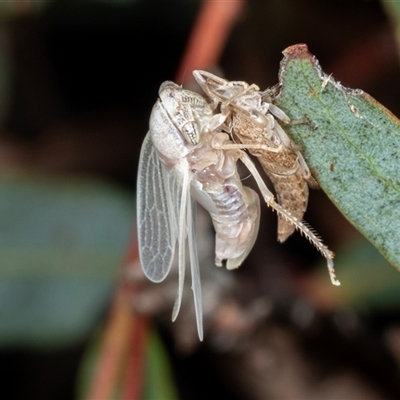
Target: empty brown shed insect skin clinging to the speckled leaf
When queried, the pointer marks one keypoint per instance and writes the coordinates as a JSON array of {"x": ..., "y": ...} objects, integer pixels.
[{"x": 251, "y": 119}]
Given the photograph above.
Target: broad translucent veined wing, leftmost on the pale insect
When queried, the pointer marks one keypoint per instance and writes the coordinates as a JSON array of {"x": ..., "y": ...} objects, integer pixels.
[{"x": 156, "y": 222}]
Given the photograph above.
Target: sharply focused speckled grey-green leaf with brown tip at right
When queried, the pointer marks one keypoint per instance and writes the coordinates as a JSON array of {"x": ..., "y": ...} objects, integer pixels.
[{"x": 352, "y": 146}]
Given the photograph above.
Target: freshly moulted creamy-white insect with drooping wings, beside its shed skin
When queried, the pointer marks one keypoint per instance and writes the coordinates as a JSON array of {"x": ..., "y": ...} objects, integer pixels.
[{"x": 182, "y": 159}]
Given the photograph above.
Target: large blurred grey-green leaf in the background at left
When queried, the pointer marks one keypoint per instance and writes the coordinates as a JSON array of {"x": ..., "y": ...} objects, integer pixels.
[{"x": 61, "y": 243}]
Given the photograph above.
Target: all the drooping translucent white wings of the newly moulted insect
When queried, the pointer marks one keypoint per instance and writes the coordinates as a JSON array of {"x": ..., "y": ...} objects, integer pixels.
[{"x": 166, "y": 213}]
